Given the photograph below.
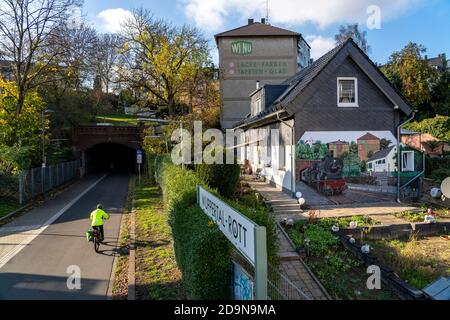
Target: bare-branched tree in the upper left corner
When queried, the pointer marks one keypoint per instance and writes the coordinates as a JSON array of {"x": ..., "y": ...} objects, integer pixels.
[{"x": 26, "y": 27}]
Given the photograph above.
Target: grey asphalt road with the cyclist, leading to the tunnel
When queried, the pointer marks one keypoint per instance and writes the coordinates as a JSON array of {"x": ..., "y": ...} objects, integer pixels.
[{"x": 41, "y": 270}]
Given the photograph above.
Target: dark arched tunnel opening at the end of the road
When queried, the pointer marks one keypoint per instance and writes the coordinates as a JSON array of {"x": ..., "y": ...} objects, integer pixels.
[{"x": 111, "y": 157}]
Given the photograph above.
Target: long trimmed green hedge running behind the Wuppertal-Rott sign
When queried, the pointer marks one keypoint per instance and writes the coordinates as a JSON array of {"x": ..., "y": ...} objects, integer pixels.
[{"x": 202, "y": 251}]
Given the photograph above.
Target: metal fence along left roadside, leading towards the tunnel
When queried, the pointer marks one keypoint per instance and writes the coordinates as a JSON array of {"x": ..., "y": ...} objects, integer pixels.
[{"x": 35, "y": 181}]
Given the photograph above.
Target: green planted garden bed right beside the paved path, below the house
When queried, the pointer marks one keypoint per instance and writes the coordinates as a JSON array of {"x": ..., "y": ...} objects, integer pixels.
[{"x": 341, "y": 273}]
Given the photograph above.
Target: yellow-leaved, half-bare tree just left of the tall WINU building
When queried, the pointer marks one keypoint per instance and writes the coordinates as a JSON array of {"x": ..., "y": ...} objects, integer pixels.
[{"x": 159, "y": 58}]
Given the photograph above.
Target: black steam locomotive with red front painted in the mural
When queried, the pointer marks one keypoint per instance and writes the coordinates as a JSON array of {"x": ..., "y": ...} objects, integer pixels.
[{"x": 324, "y": 175}]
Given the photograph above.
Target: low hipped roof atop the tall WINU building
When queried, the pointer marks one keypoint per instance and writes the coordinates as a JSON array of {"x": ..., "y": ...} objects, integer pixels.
[{"x": 257, "y": 29}]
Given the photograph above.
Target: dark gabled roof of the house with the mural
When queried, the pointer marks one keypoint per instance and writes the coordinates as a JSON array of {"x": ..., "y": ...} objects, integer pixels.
[{"x": 302, "y": 79}]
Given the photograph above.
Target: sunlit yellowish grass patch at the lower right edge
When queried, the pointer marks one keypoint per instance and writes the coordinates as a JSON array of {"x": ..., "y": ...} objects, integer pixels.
[{"x": 419, "y": 261}]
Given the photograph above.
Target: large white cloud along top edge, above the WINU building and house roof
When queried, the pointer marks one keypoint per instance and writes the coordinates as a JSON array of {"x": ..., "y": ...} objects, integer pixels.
[{"x": 212, "y": 14}]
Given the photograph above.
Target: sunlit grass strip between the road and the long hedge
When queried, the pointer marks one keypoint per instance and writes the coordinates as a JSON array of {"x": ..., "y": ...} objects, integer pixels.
[{"x": 157, "y": 274}]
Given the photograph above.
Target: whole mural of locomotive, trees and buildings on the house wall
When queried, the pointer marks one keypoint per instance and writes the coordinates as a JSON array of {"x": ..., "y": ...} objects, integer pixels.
[{"x": 325, "y": 159}]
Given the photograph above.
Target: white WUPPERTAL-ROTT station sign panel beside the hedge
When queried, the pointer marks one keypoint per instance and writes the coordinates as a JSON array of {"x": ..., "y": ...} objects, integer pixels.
[{"x": 235, "y": 226}]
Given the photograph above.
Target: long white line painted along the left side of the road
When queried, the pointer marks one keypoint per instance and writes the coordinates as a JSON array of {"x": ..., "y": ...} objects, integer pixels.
[{"x": 15, "y": 250}]
